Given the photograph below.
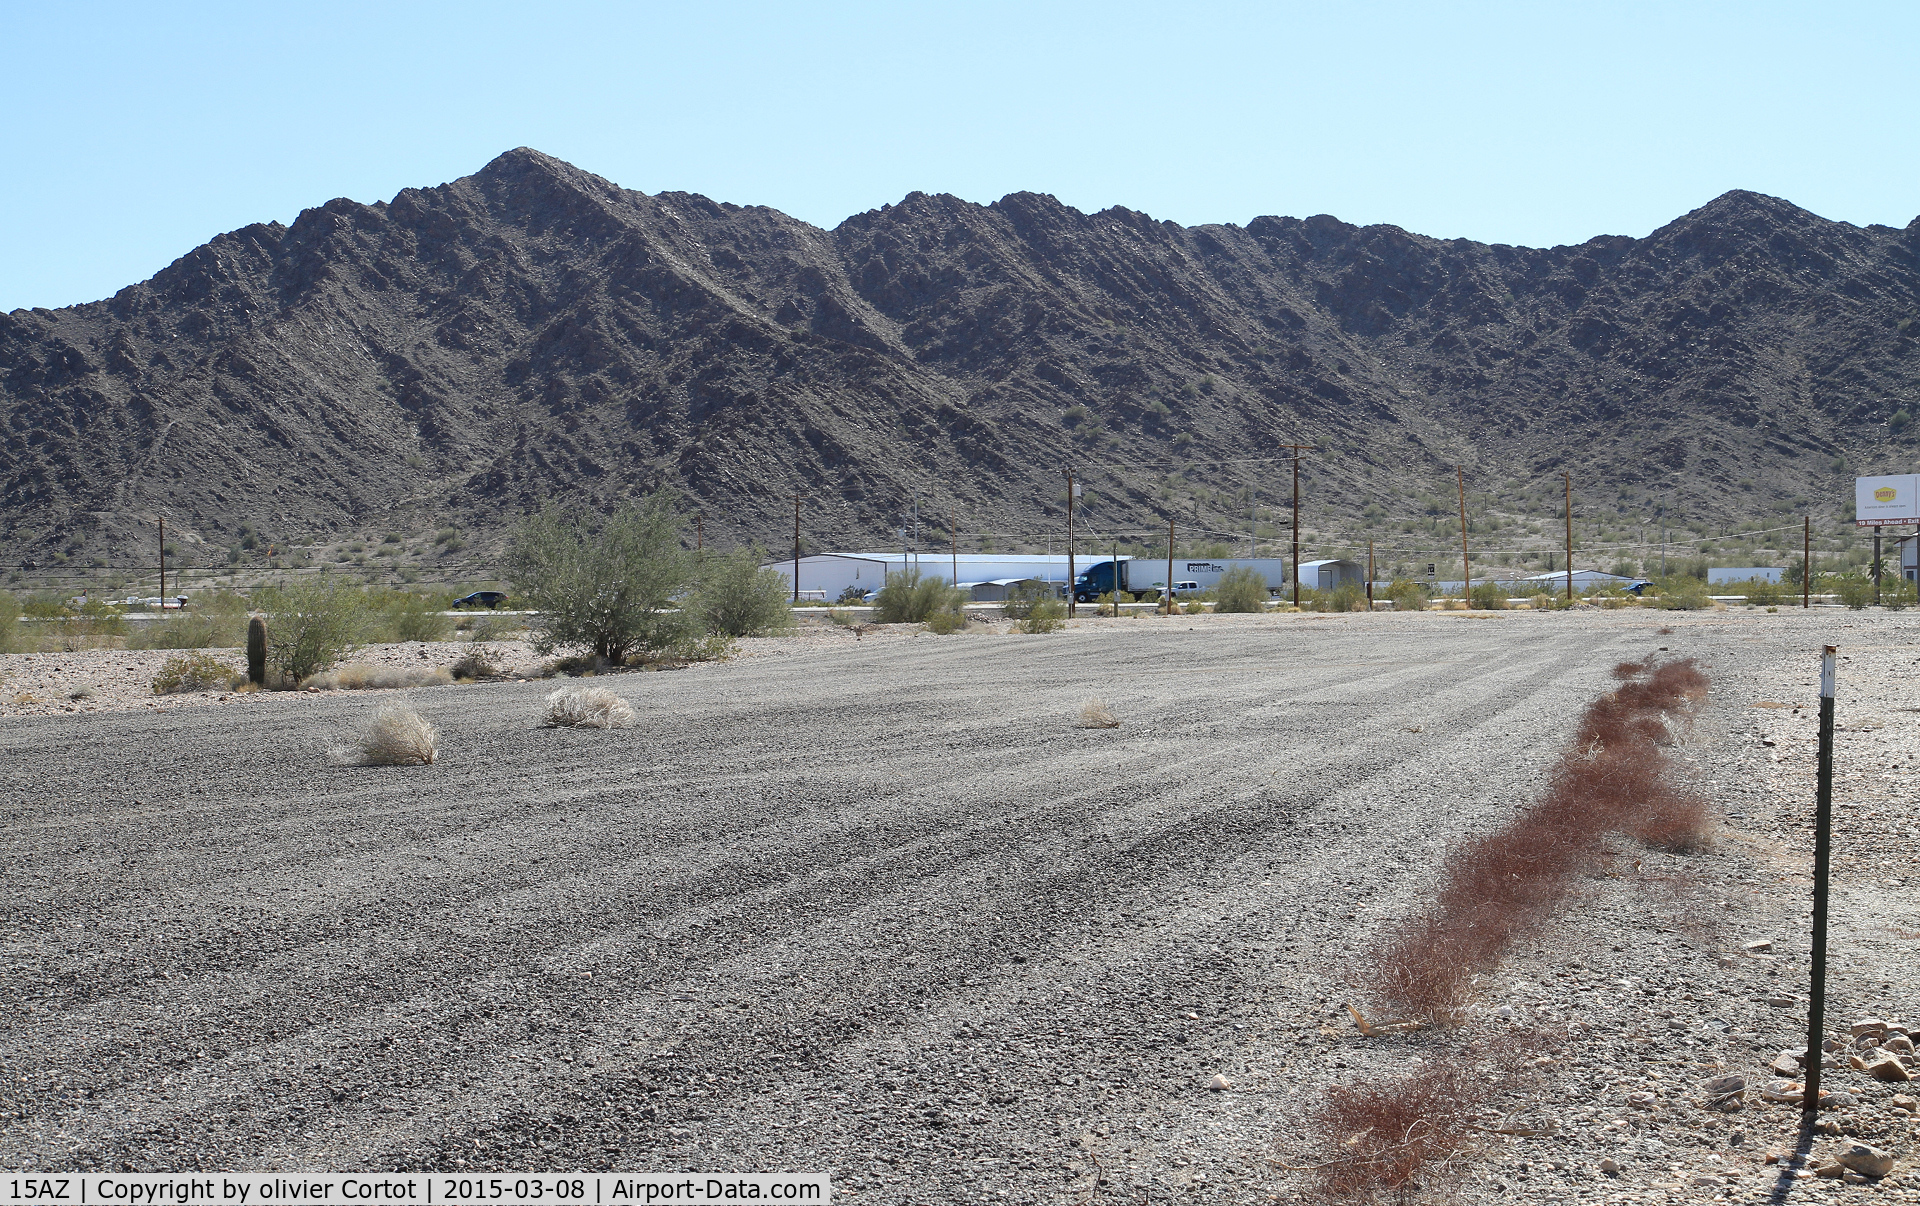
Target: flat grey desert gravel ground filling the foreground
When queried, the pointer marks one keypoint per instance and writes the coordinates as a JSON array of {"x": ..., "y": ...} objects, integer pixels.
[{"x": 878, "y": 907}]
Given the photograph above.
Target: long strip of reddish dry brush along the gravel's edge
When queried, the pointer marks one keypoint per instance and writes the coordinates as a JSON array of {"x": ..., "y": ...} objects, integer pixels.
[{"x": 1616, "y": 779}]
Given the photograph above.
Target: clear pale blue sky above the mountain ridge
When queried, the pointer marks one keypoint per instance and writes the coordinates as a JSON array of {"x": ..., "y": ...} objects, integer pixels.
[{"x": 139, "y": 132}]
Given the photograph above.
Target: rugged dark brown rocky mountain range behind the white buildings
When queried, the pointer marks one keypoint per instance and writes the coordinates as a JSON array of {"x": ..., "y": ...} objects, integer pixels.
[{"x": 469, "y": 352}]
